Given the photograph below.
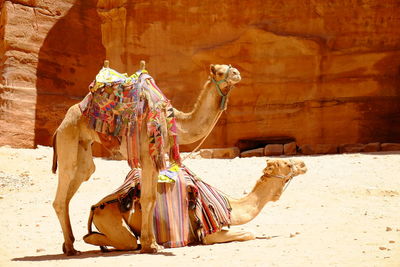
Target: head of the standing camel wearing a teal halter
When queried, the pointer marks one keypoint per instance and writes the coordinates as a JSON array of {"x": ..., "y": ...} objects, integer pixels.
[{"x": 224, "y": 75}]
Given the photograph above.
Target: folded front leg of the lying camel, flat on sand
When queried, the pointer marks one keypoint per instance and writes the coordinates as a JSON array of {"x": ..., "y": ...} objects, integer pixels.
[{"x": 230, "y": 235}]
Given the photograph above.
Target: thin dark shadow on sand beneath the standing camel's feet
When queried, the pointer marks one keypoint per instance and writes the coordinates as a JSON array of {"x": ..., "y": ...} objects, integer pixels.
[{"x": 87, "y": 254}]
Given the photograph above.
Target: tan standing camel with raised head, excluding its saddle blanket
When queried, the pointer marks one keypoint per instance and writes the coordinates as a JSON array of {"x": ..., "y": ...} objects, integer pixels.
[{"x": 73, "y": 154}]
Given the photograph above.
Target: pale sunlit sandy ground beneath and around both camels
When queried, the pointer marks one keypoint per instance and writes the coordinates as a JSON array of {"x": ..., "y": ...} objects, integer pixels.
[{"x": 345, "y": 211}]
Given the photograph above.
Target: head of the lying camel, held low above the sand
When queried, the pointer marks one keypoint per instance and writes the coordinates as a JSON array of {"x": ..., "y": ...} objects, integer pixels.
[{"x": 279, "y": 172}]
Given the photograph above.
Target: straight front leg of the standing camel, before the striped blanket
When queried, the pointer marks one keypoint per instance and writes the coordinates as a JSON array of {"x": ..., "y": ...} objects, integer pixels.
[{"x": 148, "y": 196}]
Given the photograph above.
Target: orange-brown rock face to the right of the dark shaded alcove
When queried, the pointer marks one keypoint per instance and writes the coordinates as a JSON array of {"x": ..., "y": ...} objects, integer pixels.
[{"x": 319, "y": 72}]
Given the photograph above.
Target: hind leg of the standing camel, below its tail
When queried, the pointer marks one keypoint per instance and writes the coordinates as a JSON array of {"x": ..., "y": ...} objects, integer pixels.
[{"x": 75, "y": 166}]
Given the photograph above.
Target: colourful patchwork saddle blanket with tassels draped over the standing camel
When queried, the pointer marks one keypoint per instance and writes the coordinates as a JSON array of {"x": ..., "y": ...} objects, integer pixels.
[{"x": 119, "y": 105}]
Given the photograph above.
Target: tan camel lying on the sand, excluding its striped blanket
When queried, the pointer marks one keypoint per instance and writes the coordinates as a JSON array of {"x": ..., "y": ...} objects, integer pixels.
[{"x": 117, "y": 227}]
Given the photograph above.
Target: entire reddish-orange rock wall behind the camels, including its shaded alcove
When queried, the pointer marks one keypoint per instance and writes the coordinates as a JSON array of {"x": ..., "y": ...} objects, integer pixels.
[{"x": 320, "y": 72}]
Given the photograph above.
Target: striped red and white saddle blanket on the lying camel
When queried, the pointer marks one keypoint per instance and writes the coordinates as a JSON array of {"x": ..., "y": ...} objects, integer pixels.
[{"x": 187, "y": 193}]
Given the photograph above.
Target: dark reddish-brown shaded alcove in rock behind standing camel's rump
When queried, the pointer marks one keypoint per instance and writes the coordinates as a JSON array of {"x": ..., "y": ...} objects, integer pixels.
[{"x": 69, "y": 59}]
